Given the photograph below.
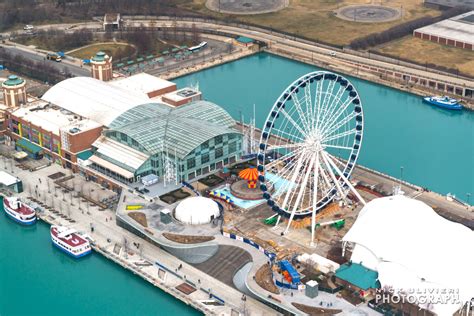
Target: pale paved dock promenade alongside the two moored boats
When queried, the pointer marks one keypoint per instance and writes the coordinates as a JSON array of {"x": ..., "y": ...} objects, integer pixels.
[{"x": 156, "y": 266}]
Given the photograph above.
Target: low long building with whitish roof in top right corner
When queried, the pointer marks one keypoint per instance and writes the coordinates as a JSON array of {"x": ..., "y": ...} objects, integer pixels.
[{"x": 457, "y": 31}]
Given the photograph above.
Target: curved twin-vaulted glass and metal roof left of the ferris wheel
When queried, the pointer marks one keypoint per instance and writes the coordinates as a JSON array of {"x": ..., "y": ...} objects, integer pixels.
[{"x": 157, "y": 126}]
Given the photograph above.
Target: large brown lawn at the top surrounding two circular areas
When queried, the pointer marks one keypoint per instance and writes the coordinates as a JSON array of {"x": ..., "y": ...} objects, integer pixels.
[{"x": 315, "y": 18}]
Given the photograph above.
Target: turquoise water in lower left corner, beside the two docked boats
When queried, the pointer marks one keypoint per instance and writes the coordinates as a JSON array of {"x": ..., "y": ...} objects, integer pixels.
[{"x": 38, "y": 279}]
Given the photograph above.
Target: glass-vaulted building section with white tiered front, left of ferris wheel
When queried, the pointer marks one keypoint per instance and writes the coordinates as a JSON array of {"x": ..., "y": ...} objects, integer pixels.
[{"x": 181, "y": 143}]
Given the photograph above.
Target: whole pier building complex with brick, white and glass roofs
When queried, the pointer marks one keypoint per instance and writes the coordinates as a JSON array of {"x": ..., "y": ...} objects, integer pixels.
[{"x": 118, "y": 131}]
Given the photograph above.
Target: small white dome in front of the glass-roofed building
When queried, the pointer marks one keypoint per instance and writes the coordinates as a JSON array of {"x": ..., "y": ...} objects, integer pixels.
[{"x": 197, "y": 210}]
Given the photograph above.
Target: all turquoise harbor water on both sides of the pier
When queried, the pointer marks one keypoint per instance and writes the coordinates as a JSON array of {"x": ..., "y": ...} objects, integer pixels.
[{"x": 434, "y": 146}]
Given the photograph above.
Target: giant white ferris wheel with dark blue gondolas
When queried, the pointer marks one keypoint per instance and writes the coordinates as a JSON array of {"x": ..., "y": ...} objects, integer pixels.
[{"x": 309, "y": 146}]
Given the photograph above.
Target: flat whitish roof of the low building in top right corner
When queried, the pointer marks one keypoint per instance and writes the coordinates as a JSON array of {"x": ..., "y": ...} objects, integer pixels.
[{"x": 459, "y": 28}]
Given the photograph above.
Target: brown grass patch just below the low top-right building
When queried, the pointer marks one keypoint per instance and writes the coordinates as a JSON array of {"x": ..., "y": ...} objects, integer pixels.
[{"x": 422, "y": 51}]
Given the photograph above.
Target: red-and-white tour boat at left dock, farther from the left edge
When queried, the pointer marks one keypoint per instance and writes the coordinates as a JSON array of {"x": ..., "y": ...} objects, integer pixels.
[{"x": 69, "y": 241}]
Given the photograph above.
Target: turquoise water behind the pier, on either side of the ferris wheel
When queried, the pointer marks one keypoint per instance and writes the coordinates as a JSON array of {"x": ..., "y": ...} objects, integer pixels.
[{"x": 434, "y": 146}]
